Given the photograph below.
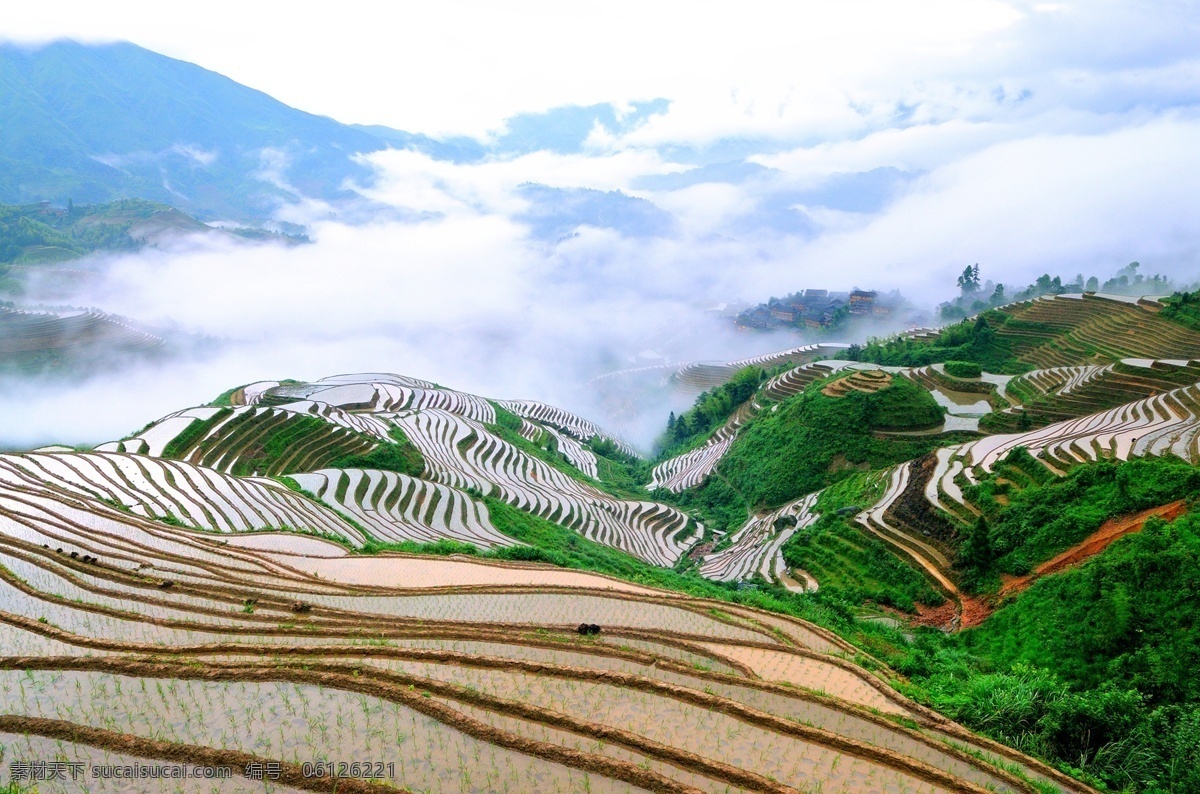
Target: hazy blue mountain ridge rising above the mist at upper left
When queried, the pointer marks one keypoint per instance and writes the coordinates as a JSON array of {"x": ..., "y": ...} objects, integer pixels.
[{"x": 98, "y": 123}]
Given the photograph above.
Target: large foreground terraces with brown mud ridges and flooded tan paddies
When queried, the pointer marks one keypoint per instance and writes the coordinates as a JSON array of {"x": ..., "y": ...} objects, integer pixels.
[{"x": 127, "y": 639}]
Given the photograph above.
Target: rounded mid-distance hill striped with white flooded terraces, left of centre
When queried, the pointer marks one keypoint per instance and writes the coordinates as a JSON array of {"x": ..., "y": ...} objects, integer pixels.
[{"x": 275, "y": 429}]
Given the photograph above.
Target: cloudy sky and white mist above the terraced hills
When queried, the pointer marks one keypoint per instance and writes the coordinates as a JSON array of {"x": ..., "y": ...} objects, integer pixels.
[{"x": 635, "y": 163}]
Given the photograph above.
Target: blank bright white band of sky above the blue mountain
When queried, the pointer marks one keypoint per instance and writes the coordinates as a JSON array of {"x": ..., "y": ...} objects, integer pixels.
[{"x": 466, "y": 67}]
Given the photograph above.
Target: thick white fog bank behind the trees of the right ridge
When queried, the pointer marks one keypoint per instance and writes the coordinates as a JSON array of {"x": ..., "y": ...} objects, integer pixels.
[{"x": 1055, "y": 204}]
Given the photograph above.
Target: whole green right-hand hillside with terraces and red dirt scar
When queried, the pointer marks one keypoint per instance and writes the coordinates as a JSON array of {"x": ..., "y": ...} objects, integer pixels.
[{"x": 1093, "y": 666}]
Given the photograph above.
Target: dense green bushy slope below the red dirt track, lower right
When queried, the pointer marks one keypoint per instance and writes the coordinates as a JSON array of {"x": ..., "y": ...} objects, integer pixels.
[{"x": 1093, "y": 669}]
